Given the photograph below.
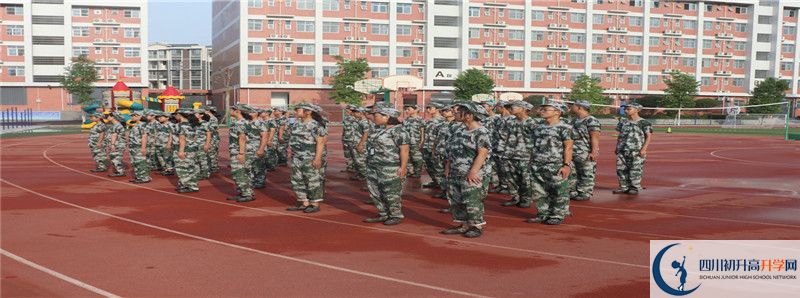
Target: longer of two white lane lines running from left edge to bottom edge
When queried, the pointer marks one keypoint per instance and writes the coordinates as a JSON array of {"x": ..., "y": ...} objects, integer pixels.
[{"x": 231, "y": 245}]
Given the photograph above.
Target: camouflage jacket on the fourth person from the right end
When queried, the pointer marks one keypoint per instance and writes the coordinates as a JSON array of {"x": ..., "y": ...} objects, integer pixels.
[{"x": 518, "y": 139}]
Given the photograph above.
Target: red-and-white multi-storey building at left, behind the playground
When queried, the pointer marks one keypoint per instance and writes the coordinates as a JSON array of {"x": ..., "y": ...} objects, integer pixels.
[{"x": 38, "y": 39}]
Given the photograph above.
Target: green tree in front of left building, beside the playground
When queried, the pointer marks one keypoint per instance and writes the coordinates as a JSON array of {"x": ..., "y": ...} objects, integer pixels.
[{"x": 78, "y": 79}]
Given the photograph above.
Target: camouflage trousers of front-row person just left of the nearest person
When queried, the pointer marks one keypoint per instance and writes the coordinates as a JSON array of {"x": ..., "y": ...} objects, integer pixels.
[{"x": 385, "y": 189}]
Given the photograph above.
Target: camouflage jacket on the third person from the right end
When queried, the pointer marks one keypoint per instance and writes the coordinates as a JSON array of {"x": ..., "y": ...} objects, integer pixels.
[{"x": 548, "y": 143}]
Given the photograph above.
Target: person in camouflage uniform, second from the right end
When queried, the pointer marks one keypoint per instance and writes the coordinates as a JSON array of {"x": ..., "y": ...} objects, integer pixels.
[{"x": 586, "y": 149}]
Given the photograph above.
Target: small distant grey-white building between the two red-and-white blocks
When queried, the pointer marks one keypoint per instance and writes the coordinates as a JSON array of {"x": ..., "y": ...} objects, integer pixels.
[{"x": 186, "y": 67}]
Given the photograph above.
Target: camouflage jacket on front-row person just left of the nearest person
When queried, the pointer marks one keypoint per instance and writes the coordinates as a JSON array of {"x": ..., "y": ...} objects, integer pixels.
[{"x": 383, "y": 147}]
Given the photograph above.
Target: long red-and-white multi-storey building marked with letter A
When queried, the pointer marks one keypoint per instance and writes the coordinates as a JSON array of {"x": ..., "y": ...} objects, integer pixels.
[{"x": 276, "y": 51}]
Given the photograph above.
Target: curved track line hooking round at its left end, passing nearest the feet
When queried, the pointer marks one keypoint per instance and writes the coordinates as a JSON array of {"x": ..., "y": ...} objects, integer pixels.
[{"x": 360, "y": 226}]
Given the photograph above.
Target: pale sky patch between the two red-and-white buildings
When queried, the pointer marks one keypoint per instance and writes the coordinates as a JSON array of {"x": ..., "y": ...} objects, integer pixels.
[{"x": 180, "y": 21}]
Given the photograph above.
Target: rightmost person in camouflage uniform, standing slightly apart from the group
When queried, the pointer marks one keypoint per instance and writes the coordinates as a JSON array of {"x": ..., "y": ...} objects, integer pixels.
[{"x": 635, "y": 134}]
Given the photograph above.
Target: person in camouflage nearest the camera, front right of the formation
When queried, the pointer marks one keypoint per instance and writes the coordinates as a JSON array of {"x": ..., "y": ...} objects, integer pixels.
[{"x": 466, "y": 170}]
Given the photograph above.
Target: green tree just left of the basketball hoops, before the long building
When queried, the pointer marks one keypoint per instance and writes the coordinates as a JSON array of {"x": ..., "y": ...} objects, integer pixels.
[{"x": 350, "y": 72}]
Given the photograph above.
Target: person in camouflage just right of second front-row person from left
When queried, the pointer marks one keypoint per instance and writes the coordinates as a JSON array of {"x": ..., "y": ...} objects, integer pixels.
[{"x": 257, "y": 139}]
